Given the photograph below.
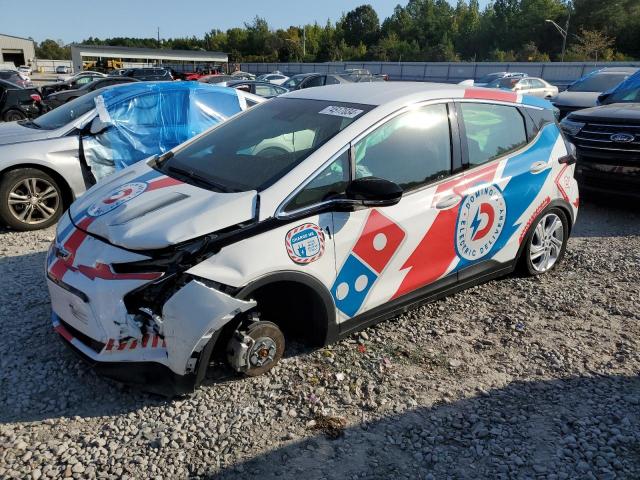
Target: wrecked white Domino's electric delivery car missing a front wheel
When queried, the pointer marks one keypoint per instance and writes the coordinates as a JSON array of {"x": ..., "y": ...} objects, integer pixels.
[{"x": 308, "y": 216}]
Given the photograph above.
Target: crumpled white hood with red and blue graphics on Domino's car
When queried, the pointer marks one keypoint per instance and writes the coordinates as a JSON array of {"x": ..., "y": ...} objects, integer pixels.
[{"x": 142, "y": 209}]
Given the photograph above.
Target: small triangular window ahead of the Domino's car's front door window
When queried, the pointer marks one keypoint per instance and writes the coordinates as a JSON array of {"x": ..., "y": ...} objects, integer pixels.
[{"x": 328, "y": 184}]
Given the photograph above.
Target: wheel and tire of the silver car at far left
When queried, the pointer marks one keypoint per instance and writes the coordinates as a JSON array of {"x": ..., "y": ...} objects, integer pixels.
[{"x": 30, "y": 199}]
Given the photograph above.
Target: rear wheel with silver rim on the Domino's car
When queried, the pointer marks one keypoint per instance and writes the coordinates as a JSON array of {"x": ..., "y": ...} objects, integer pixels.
[{"x": 546, "y": 243}]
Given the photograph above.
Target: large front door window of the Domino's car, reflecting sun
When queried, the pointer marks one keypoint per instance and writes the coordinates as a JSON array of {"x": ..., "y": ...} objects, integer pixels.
[{"x": 411, "y": 150}]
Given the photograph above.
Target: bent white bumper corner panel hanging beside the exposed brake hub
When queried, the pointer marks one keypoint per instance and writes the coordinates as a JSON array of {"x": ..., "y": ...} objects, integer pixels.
[{"x": 191, "y": 317}]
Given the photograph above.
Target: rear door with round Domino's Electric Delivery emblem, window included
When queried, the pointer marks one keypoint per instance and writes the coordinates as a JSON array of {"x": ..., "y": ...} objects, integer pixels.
[{"x": 504, "y": 177}]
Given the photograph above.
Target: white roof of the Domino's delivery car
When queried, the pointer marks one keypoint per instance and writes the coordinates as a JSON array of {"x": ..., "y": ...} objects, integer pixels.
[{"x": 379, "y": 93}]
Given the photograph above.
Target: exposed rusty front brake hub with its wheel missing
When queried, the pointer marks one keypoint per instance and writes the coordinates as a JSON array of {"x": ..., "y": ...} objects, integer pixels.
[{"x": 256, "y": 349}]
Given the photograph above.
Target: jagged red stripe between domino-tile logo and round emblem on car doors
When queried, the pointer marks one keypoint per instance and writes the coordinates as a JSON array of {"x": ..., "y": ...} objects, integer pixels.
[{"x": 435, "y": 252}]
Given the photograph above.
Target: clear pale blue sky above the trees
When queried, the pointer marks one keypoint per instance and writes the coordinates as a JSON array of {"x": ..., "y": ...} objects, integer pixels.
[{"x": 75, "y": 20}]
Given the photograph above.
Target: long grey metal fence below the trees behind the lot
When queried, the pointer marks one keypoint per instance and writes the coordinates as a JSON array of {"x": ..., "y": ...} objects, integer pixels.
[{"x": 557, "y": 73}]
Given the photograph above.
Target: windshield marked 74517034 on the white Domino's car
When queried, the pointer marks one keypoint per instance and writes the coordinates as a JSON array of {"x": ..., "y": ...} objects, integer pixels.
[{"x": 257, "y": 148}]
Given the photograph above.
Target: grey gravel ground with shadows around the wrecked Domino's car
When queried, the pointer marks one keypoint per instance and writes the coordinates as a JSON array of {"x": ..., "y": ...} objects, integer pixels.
[{"x": 518, "y": 378}]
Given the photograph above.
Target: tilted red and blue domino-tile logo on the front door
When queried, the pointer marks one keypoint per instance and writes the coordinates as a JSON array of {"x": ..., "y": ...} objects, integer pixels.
[{"x": 378, "y": 243}]
